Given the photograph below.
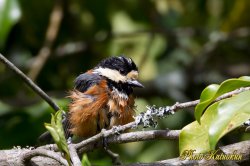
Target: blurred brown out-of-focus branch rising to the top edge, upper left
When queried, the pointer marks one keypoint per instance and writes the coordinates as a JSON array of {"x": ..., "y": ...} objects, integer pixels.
[{"x": 51, "y": 34}]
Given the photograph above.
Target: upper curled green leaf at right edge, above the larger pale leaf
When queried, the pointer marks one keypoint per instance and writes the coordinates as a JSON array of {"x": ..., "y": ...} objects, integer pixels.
[{"x": 213, "y": 91}]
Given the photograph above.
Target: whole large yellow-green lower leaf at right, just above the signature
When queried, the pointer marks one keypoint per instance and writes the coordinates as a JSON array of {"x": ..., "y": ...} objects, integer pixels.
[{"x": 219, "y": 119}]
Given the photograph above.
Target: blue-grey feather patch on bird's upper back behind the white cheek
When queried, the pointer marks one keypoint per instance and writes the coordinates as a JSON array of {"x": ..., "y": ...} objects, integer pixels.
[{"x": 86, "y": 80}]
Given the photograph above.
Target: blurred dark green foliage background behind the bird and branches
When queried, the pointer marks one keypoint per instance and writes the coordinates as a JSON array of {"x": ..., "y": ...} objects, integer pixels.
[{"x": 180, "y": 47}]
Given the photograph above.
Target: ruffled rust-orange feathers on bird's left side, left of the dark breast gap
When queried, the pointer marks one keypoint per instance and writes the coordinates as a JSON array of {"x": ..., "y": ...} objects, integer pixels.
[{"x": 86, "y": 111}]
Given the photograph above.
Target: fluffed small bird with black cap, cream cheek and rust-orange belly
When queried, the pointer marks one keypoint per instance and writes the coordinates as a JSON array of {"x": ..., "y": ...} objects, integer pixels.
[{"x": 102, "y": 97}]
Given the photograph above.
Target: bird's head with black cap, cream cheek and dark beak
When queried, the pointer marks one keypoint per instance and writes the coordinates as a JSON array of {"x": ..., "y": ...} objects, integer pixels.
[{"x": 120, "y": 70}]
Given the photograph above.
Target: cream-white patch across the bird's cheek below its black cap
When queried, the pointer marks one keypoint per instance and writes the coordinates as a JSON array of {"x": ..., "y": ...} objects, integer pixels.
[{"x": 111, "y": 74}]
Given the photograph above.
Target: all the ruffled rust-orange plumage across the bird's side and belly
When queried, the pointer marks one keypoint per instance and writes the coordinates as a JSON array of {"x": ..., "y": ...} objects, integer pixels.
[{"x": 98, "y": 107}]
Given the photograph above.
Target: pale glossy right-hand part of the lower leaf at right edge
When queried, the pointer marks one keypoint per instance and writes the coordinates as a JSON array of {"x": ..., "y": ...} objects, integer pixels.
[{"x": 230, "y": 113}]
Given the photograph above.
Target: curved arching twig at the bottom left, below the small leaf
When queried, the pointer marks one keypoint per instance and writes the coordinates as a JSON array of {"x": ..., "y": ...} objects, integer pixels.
[{"x": 26, "y": 157}]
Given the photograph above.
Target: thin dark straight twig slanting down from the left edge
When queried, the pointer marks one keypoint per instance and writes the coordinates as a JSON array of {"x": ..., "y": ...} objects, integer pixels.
[{"x": 29, "y": 82}]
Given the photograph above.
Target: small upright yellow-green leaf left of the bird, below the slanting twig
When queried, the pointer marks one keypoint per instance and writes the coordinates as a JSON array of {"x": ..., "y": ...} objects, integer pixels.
[{"x": 56, "y": 130}]
